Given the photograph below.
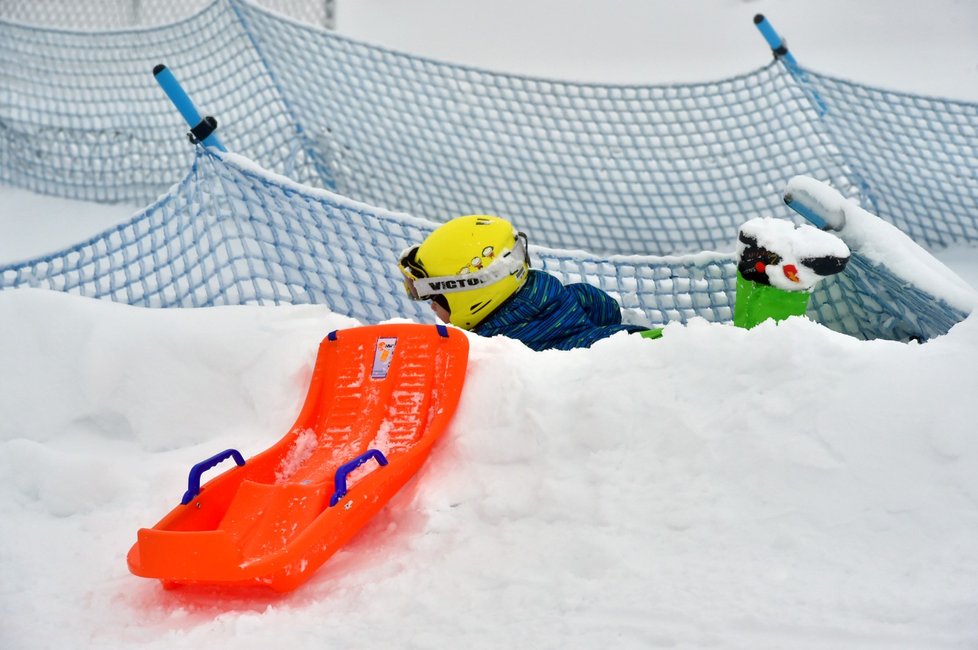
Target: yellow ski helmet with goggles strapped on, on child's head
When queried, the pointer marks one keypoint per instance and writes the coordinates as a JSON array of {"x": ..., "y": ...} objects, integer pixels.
[{"x": 469, "y": 265}]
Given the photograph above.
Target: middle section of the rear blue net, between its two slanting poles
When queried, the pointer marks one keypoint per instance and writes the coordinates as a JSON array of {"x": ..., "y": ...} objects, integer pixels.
[{"x": 615, "y": 169}]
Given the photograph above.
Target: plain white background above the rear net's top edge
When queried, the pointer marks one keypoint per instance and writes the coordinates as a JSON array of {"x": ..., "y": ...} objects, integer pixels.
[{"x": 919, "y": 47}]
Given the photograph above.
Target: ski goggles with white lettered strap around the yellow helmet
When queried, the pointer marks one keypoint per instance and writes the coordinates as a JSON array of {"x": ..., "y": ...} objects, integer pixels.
[{"x": 420, "y": 287}]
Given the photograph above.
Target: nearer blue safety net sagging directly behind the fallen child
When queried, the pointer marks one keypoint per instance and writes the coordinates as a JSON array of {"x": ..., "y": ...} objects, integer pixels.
[{"x": 232, "y": 233}]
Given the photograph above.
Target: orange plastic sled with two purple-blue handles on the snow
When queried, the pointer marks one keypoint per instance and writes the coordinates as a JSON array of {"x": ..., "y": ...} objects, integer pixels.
[{"x": 379, "y": 398}]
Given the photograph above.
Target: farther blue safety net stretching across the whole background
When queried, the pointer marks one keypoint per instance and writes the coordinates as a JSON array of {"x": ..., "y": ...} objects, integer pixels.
[{"x": 613, "y": 169}]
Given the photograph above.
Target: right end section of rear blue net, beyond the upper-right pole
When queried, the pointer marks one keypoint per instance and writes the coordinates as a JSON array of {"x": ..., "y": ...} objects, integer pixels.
[{"x": 914, "y": 159}]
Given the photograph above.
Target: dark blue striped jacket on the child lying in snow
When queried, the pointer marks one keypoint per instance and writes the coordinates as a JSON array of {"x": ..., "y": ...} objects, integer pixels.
[{"x": 545, "y": 314}]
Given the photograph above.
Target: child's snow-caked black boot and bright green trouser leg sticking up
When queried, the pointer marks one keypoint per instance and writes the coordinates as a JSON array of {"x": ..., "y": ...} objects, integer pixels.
[{"x": 779, "y": 265}]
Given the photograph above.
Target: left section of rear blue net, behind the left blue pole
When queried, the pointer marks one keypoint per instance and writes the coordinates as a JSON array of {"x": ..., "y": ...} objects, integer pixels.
[{"x": 82, "y": 117}]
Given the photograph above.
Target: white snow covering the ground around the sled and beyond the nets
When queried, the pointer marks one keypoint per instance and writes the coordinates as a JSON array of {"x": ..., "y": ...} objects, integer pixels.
[{"x": 783, "y": 487}]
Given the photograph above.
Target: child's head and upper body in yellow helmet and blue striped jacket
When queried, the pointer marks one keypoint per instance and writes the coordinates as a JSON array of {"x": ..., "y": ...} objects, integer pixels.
[{"x": 476, "y": 272}]
